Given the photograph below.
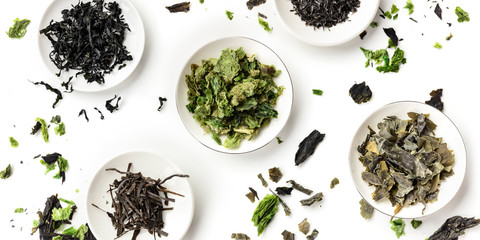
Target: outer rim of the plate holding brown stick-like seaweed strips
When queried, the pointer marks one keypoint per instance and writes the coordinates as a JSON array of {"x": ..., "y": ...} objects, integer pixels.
[{"x": 141, "y": 151}]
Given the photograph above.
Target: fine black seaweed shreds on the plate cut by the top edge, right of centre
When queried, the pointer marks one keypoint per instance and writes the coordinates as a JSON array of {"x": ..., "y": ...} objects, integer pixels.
[{"x": 324, "y": 14}]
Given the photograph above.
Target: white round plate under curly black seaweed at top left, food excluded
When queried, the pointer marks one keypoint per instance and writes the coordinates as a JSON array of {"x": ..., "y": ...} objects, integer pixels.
[{"x": 134, "y": 41}]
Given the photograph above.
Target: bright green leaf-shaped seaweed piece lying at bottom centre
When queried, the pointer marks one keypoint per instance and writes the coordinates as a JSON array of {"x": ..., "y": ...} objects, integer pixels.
[{"x": 264, "y": 212}]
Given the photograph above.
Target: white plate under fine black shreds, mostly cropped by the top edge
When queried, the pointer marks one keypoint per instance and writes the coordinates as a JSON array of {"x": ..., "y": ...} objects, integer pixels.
[{"x": 338, "y": 34}]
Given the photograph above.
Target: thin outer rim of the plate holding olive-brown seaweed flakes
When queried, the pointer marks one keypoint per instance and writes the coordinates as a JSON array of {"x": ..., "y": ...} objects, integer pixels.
[{"x": 461, "y": 146}]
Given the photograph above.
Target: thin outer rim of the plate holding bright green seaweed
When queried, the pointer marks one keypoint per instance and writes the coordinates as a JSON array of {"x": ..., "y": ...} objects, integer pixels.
[{"x": 188, "y": 62}]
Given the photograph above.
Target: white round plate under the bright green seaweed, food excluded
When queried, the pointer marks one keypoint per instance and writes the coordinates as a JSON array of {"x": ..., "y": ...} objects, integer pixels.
[{"x": 263, "y": 54}]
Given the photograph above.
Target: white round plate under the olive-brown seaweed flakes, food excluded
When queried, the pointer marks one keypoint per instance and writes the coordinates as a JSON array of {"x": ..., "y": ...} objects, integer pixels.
[{"x": 446, "y": 129}]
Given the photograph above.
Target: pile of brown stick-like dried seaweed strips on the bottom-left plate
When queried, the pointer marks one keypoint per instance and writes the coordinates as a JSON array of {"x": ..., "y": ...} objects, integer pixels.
[{"x": 139, "y": 203}]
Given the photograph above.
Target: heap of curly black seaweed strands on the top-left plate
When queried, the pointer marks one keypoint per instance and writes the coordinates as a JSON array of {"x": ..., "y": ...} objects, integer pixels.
[{"x": 89, "y": 38}]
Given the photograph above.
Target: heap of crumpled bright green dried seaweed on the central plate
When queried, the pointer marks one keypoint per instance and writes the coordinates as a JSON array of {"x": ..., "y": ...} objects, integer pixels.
[{"x": 232, "y": 96}]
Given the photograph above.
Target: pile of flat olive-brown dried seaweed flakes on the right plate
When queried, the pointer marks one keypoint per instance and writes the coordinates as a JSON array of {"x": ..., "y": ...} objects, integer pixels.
[{"x": 404, "y": 161}]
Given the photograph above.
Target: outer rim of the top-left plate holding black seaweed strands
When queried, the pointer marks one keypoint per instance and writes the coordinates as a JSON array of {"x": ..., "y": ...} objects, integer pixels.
[{"x": 100, "y": 87}]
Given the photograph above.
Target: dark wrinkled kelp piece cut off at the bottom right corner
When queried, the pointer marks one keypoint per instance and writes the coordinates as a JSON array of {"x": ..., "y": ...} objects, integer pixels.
[{"x": 454, "y": 227}]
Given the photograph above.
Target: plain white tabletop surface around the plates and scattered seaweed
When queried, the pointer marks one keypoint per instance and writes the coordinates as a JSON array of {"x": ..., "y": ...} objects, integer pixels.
[{"x": 220, "y": 181}]
